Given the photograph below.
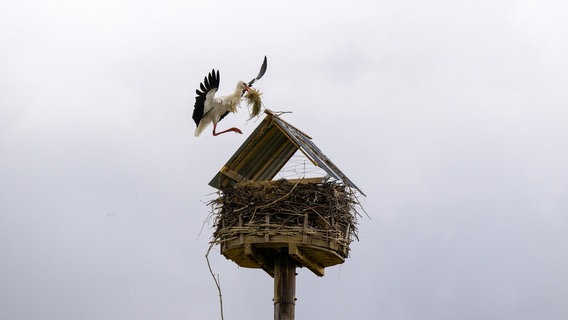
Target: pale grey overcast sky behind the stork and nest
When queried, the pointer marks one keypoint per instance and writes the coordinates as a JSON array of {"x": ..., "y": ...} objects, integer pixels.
[{"x": 450, "y": 116}]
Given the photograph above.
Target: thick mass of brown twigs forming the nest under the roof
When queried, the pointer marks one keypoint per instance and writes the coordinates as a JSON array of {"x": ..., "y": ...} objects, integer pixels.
[{"x": 324, "y": 210}]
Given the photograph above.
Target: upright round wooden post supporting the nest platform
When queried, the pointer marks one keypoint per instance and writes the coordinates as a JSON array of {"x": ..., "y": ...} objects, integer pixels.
[{"x": 284, "y": 286}]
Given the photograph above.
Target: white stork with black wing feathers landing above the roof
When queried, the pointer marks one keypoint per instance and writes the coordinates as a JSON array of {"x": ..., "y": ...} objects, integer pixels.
[{"x": 211, "y": 109}]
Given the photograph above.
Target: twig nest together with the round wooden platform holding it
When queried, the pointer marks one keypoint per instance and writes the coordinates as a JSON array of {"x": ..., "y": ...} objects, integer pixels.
[{"x": 313, "y": 222}]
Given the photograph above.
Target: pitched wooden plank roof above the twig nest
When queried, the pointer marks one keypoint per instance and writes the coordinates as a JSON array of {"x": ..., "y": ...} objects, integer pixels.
[{"x": 268, "y": 149}]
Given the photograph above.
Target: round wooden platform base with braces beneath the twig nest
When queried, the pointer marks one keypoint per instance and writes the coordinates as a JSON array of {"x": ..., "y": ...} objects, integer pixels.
[{"x": 258, "y": 249}]
